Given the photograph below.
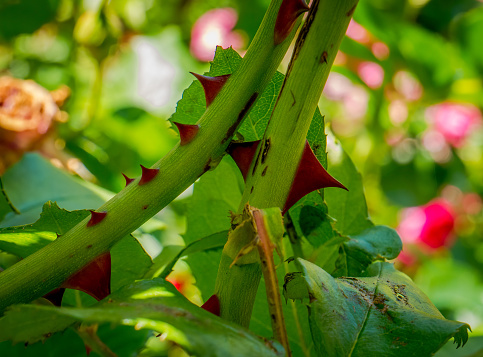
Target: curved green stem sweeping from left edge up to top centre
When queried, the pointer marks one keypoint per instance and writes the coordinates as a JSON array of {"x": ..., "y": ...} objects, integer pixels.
[{"x": 49, "y": 267}]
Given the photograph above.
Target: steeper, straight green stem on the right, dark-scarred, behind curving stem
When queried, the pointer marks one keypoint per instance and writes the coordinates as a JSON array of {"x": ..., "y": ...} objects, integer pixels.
[{"x": 271, "y": 175}]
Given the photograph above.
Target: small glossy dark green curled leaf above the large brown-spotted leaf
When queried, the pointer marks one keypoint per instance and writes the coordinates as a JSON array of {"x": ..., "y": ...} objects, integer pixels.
[{"x": 360, "y": 251}]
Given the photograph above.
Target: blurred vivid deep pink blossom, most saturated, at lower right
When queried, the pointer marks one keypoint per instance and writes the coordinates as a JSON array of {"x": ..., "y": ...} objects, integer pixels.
[{"x": 429, "y": 227}]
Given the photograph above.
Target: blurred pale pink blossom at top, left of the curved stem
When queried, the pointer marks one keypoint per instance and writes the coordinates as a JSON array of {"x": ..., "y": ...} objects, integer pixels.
[{"x": 215, "y": 28}]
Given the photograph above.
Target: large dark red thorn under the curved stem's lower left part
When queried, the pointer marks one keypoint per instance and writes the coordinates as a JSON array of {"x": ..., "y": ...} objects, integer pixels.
[{"x": 94, "y": 279}]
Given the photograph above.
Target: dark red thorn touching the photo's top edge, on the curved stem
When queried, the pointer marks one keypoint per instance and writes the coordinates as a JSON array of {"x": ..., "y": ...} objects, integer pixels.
[{"x": 286, "y": 17}]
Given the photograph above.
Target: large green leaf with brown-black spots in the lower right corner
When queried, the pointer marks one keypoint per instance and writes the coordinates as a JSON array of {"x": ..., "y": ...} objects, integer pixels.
[{"x": 383, "y": 314}]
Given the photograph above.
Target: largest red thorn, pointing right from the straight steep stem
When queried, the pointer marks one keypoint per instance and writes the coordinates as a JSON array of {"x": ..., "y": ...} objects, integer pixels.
[{"x": 310, "y": 176}]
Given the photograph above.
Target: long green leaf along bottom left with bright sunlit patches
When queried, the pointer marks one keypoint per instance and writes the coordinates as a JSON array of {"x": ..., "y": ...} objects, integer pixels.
[{"x": 147, "y": 304}]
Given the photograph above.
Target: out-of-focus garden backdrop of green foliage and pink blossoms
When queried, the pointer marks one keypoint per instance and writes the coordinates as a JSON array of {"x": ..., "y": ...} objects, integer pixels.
[{"x": 404, "y": 98}]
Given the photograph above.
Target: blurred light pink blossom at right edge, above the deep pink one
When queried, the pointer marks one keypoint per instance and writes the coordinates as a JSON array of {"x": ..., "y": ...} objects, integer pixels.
[{"x": 455, "y": 121}]
